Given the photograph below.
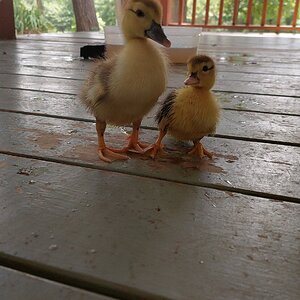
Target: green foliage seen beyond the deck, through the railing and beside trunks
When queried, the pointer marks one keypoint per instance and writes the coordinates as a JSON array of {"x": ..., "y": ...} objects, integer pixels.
[{"x": 58, "y": 15}]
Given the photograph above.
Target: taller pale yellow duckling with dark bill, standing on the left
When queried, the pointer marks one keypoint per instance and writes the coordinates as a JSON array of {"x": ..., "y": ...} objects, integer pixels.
[{"x": 121, "y": 90}]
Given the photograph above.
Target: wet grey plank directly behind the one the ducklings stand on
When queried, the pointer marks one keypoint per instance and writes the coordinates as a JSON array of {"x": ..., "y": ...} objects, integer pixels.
[{"x": 266, "y": 127}]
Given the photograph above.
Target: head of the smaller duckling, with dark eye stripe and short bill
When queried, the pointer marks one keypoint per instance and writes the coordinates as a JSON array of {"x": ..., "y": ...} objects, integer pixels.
[{"x": 201, "y": 72}]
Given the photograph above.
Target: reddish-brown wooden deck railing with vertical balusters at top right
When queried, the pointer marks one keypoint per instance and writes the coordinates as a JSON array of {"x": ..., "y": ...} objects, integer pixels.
[{"x": 211, "y": 14}]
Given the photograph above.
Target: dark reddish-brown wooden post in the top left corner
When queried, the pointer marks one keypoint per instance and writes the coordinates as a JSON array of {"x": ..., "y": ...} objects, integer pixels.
[{"x": 7, "y": 20}]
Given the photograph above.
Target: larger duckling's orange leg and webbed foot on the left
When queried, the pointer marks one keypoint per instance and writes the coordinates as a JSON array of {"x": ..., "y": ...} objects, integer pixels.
[{"x": 103, "y": 151}]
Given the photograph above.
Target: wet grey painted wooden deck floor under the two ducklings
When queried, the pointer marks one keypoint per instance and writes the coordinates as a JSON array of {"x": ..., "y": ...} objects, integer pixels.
[{"x": 73, "y": 227}]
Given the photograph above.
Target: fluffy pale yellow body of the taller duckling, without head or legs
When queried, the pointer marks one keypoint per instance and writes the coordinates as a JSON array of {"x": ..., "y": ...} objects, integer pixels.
[{"x": 122, "y": 90}]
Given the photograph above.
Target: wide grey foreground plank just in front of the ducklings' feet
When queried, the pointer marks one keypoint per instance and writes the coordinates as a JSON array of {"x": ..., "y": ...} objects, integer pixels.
[{"x": 227, "y": 245}]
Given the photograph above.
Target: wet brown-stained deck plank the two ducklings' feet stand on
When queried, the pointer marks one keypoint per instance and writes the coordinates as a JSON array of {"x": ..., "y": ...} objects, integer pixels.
[{"x": 75, "y": 142}]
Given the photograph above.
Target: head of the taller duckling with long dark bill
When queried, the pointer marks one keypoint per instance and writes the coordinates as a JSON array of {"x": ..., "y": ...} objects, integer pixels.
[{"x": 142, "y": 19}]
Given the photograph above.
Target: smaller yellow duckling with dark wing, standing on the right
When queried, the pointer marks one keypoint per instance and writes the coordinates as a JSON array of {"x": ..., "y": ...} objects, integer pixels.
[{"x": 191, "y": 112}]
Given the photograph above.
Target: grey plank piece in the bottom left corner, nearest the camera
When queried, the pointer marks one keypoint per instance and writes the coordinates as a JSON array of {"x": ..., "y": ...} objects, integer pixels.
[{"x": 16, "y": 285}]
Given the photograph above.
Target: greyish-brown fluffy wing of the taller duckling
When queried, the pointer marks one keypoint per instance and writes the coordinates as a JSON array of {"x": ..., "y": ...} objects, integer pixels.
[{"x": 96, "y": 87}]
